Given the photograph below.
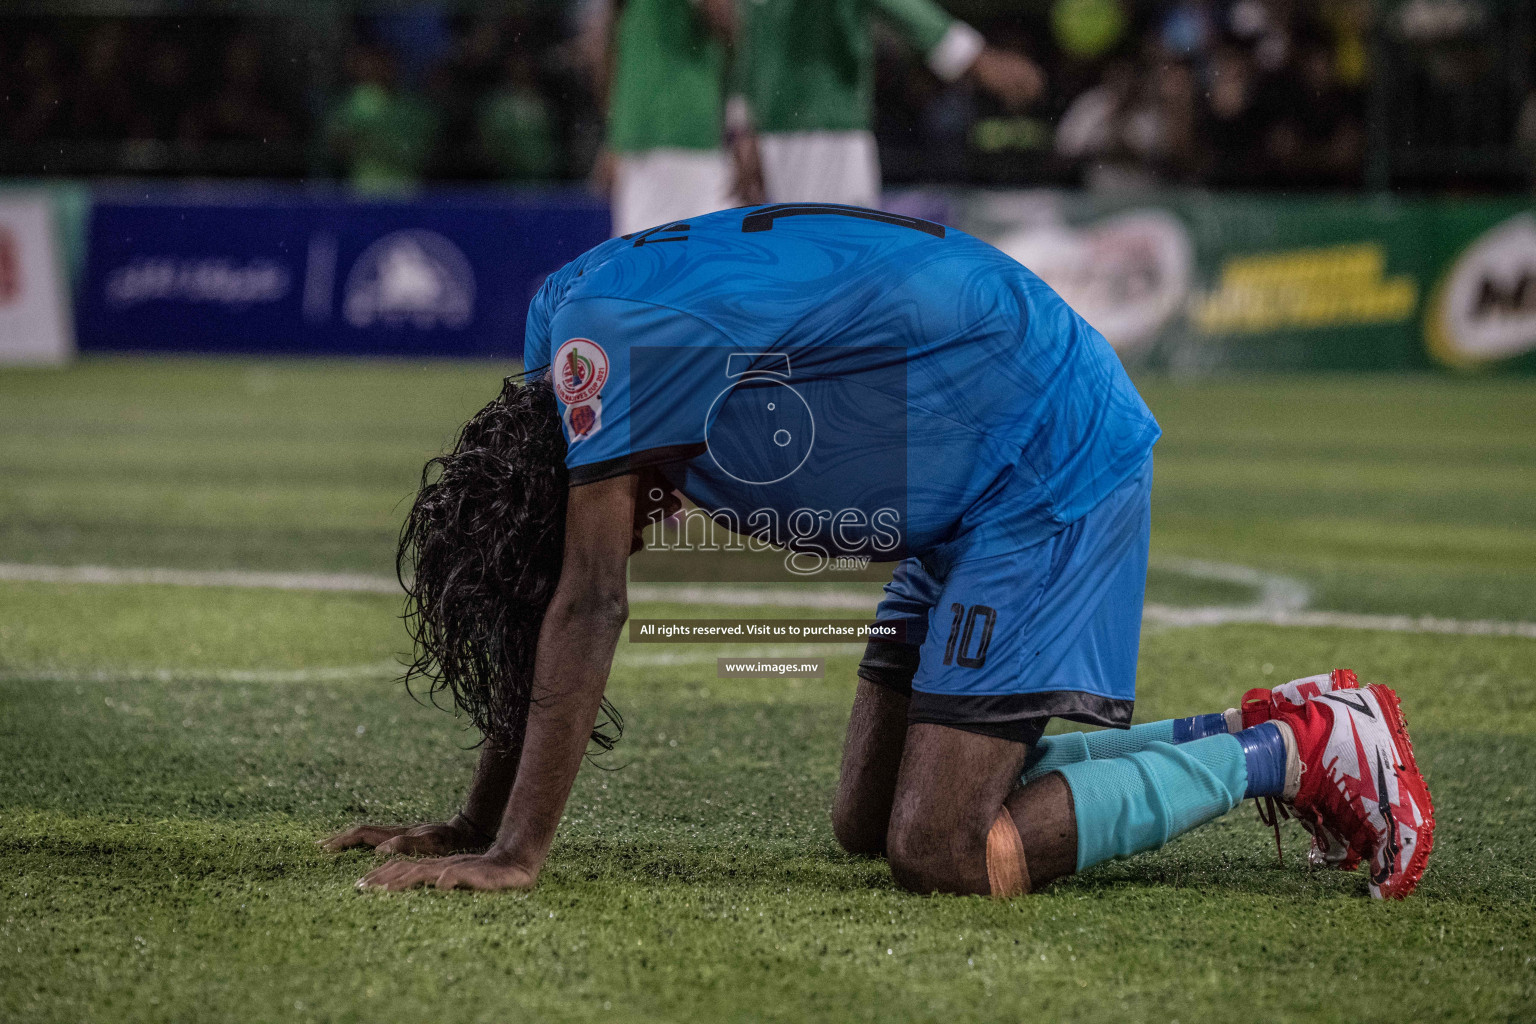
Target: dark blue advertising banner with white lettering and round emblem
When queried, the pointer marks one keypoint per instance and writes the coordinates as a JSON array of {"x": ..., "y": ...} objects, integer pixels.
[{"x": 440, "y": 276}]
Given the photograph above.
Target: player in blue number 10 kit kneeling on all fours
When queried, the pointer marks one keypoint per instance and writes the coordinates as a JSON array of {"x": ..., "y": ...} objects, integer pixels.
[{"x": 842, "y": 382}]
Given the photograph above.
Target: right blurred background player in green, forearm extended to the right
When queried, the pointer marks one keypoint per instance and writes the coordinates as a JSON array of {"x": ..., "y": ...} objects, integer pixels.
[{"x": 807, "y": 87}]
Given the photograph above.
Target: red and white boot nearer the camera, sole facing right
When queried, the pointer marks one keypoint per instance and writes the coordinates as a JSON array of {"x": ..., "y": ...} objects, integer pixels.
[{"x": 1360, "y": 784}]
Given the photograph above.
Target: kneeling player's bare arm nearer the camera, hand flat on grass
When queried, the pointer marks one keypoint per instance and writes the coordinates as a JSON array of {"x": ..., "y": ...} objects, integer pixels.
[{"x": 577, "y": 644}]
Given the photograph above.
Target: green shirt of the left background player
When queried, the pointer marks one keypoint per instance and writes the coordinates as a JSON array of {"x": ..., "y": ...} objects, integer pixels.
[{"x": 669, "y": 85}]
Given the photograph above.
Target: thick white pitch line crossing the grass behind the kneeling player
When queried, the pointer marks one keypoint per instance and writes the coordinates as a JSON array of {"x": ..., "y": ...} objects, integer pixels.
[{"x": 1280, "y": 601}]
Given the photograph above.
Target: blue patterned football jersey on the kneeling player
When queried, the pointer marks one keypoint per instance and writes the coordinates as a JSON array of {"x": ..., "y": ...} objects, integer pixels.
[{"x": 866, "y": 382}]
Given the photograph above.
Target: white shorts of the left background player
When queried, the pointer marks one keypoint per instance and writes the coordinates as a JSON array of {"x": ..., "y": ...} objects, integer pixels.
[{"x": 660, "y": 187}]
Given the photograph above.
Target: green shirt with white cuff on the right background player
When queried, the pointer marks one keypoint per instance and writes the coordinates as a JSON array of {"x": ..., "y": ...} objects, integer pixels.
[{"x": 809, "y": 65}]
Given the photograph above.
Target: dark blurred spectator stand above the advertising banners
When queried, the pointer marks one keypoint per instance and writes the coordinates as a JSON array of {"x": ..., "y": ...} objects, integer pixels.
[{"x": 1437, "y": 93}]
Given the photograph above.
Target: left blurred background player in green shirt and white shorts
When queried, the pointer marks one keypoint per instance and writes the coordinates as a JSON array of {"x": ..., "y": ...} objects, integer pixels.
[{"x": 661, "y": 70}]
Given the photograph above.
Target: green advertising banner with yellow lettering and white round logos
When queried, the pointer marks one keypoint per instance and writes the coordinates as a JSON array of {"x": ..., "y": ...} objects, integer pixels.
[{"x": 1193, "y": 282}]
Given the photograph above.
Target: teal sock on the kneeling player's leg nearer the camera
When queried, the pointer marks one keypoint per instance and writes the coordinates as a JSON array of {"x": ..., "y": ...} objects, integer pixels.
[{"x": 1139, "y": 802}]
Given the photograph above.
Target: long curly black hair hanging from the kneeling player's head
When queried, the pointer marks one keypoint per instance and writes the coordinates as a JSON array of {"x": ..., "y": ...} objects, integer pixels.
[{"x": 480, "y": 558}]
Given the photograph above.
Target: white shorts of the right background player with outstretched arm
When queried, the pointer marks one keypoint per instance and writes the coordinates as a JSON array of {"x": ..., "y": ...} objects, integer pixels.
[{"x": 821, "y": 168}]
